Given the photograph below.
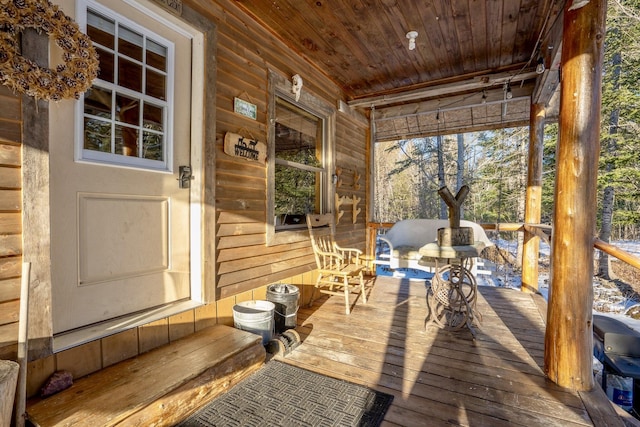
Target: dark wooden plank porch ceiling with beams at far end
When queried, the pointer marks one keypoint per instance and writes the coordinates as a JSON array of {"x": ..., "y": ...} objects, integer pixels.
[{"x": 466, "y": 54}]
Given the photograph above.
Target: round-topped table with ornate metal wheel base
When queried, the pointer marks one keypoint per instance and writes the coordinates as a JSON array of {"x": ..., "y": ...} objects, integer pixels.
[{"x": 451, "y": 298}]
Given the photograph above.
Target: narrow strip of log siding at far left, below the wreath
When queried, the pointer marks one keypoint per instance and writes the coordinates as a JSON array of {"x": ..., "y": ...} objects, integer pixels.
[{"x": 10, "y": 220}]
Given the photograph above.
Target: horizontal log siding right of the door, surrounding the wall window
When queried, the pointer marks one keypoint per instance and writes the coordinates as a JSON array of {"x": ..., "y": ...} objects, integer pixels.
[{"x": 245, "y": 54}]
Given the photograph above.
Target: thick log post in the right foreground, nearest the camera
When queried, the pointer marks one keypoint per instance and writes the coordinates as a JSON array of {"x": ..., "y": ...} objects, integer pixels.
[{"x": 569, "y": 338}]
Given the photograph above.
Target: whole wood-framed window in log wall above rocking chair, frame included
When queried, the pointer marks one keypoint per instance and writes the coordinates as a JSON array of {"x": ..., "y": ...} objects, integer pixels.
[{"x": 300, "y": 158}]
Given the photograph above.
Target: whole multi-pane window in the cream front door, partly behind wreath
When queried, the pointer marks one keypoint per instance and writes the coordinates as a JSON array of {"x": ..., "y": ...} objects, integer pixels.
[{"x": 126, "y": 110}]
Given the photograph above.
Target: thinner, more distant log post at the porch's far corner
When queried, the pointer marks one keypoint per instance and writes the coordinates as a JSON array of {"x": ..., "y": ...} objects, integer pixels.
[{"x": 533, "y": 200}]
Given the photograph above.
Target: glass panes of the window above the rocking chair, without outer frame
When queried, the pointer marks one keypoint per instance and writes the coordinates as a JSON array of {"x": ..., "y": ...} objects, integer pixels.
[{"x": 298, "y": 164}]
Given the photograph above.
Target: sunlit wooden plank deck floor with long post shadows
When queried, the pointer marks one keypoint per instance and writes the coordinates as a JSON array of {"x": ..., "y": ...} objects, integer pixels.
[{"x": 443, "y": 378}]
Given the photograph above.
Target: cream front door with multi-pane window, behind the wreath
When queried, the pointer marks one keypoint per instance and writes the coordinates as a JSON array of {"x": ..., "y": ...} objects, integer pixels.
[{"x": 120, "y": 238}]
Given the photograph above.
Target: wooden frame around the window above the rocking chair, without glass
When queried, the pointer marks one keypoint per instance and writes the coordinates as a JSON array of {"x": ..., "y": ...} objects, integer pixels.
[{"x": 280, "y": 87}]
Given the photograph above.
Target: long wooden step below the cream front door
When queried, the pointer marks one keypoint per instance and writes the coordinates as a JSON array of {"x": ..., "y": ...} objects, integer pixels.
[{"x": 158, "y": 388}]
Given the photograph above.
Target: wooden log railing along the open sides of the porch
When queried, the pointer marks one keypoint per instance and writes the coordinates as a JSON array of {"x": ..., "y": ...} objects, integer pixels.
[{"x": 541, "y": 230}]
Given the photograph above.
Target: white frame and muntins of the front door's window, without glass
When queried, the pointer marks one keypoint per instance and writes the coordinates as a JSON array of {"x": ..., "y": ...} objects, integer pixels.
[{"x": 117, "y": 160}]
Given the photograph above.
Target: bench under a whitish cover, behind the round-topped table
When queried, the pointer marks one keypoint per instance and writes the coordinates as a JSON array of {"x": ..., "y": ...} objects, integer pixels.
[{"x": 406, "y": 237}]
